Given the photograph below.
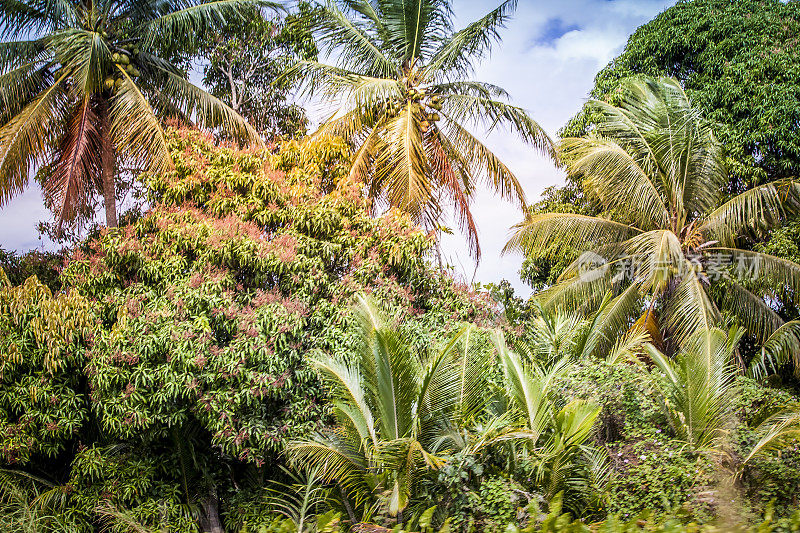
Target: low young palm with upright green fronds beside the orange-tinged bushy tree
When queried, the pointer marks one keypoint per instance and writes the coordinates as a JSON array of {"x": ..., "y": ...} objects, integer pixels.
[{"x": 396, "y": 410}]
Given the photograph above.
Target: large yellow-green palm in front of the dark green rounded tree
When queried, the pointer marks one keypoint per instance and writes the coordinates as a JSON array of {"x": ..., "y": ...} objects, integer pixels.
[{"x": 666, "y": 246}]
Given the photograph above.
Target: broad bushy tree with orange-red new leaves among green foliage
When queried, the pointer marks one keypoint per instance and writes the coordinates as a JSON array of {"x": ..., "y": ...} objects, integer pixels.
[{"x": 198, "y": 318}]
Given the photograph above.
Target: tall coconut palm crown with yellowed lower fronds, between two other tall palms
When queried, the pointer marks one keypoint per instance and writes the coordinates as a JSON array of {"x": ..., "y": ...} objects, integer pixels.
[{"x": 405, "y": 103}]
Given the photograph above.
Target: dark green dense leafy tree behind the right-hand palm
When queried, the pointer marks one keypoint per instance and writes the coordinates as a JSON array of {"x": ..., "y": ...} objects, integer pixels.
[{"x": 739, "y": 63}]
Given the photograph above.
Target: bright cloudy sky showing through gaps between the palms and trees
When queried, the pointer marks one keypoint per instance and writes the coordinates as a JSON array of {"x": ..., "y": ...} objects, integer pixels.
[{"x": 547, "y": 59}]
